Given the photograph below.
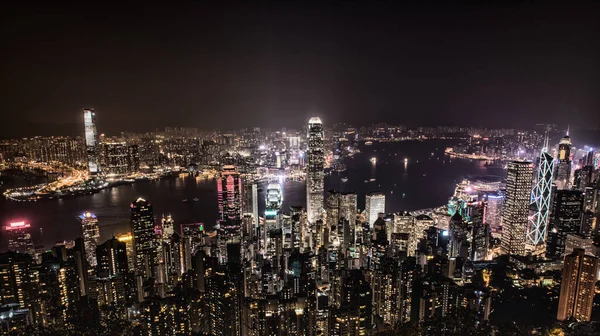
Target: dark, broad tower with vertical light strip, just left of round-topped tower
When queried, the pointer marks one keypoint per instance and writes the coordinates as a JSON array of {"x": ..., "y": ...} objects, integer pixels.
[{"x": 112, "y": 258}]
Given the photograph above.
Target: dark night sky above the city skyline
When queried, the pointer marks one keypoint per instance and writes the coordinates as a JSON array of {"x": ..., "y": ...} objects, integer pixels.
[{"x": 504, "y": 64}]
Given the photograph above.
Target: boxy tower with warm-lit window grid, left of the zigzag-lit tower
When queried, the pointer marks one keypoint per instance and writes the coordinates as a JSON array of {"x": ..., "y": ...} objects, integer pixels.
[{"x": 516, "y": 207}]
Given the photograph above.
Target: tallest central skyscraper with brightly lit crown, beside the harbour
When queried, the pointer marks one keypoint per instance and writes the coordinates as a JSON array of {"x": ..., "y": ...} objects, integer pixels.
[{"x": 315, "y": 172}]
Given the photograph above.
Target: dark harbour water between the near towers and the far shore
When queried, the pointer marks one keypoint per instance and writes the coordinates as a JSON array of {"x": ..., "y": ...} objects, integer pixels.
[{"x": 413, "y": 175}]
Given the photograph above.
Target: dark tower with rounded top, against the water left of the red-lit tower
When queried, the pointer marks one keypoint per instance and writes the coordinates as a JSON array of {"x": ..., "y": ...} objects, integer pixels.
[{"x": 144, "y": 237}]
